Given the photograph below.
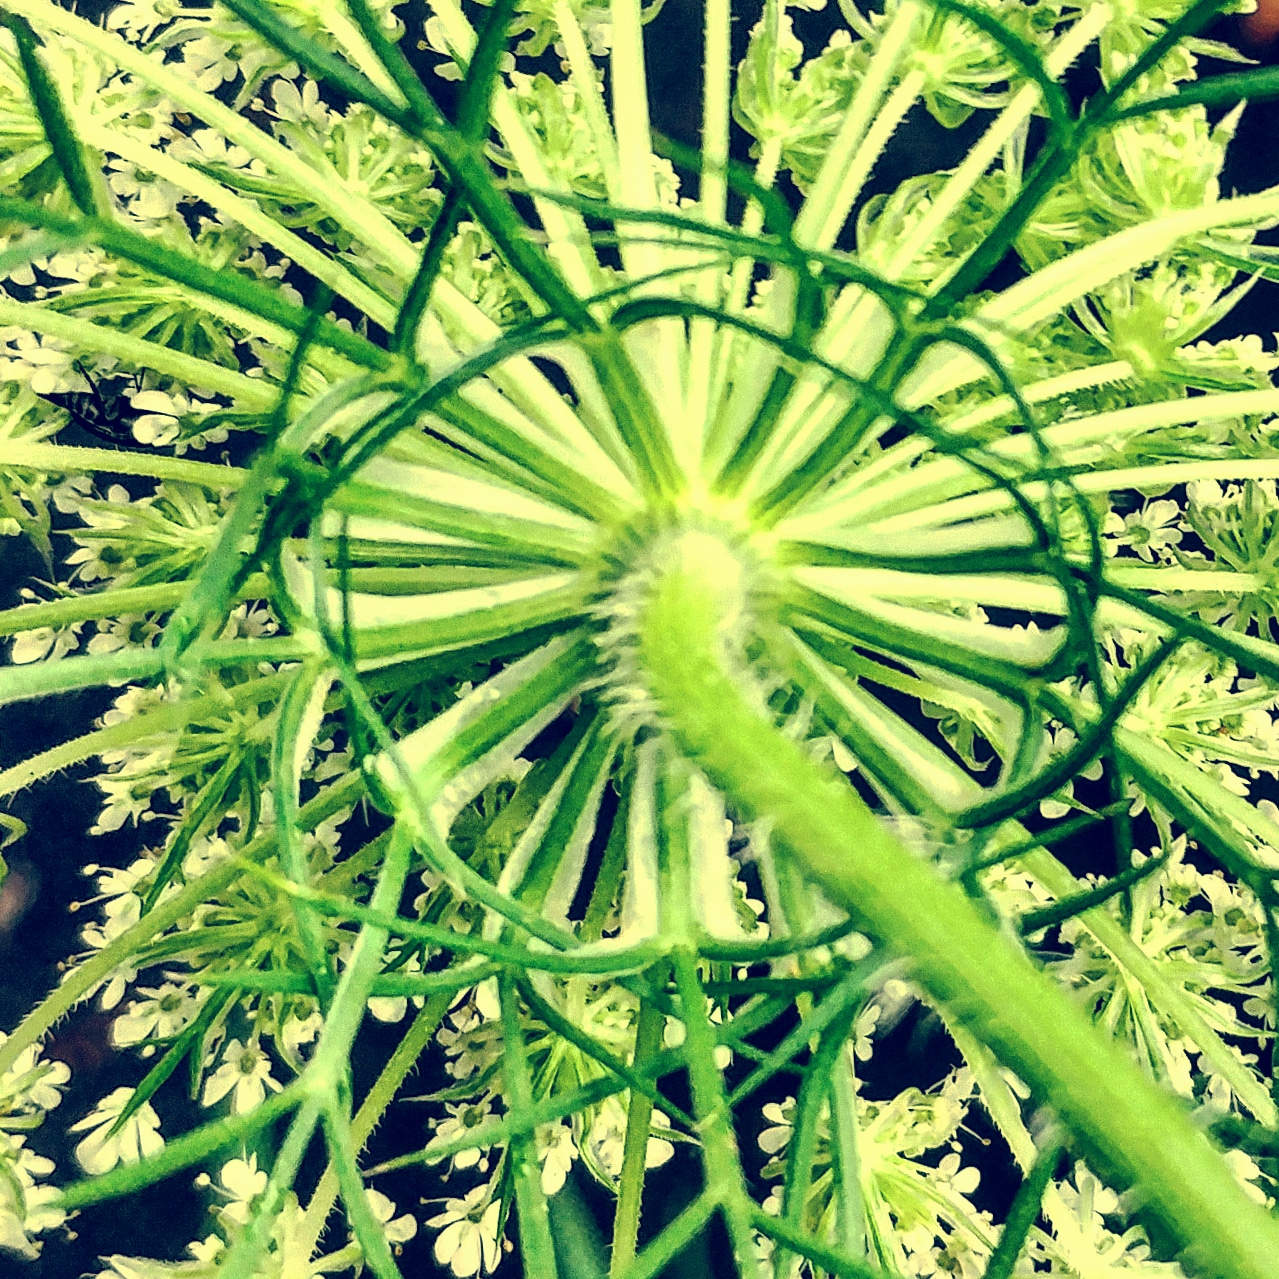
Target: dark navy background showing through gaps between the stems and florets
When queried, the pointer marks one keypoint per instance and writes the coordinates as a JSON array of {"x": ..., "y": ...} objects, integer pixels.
[{"x": 39, "y": 932}]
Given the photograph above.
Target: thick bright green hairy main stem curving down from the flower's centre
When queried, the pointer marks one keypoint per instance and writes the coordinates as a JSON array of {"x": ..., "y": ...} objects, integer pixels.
[{"x": 1133, "y": 1133}]
